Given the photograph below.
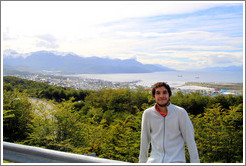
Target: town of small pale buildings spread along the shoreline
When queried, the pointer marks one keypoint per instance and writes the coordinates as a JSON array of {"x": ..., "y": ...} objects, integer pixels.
[{"x": 97, "y": 84}]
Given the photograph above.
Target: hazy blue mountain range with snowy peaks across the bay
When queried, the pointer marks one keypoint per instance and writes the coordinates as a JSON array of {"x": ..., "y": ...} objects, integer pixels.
[{"x": 70, "y": 63}]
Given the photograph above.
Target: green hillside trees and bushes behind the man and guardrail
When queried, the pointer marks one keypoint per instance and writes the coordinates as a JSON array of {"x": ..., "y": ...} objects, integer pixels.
[{"x": 108, "y": 122}]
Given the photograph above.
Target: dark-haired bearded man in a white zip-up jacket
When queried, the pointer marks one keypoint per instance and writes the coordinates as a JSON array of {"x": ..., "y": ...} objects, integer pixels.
[{"x": 167, "y": 127}]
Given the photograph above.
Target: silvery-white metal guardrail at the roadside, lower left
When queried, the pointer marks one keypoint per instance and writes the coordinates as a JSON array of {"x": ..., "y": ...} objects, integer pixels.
[{"x": 29, "y": 154}]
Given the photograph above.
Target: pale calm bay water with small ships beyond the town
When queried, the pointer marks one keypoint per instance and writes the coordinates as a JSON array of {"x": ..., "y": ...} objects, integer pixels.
[{"x": 173, "y": 78}]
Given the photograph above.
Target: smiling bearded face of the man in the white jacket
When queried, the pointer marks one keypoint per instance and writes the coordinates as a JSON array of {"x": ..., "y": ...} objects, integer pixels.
[{"x": 161, "y": 96}]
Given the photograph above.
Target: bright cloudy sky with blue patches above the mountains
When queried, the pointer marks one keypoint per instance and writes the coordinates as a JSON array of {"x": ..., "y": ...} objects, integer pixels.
[{"x": 176, "y": 34}]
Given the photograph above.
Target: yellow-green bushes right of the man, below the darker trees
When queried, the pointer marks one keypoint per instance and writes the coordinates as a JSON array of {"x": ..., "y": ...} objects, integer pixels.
[{"x": 219, "y": 134}]
